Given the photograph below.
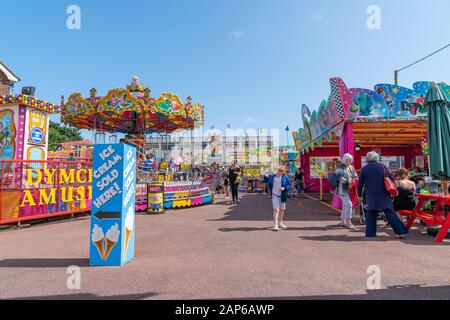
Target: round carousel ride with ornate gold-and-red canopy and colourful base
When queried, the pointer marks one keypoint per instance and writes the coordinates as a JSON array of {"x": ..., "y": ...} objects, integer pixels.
[{"x": 133, "y": 113}]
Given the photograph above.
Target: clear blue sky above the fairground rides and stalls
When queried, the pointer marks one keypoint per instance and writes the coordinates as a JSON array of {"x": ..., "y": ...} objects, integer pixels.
[{"x": 252, "y": 63}]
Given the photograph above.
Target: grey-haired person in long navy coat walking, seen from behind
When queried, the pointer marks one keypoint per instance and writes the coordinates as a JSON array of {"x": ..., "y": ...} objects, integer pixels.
[{"x": 371, "y": 181}]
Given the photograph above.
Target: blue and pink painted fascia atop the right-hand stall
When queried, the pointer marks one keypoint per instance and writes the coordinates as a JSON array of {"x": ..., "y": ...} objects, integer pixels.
[{"x": 386, "y": 101}]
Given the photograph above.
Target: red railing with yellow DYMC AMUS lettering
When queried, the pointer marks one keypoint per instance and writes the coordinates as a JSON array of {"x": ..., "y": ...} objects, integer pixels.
[{"x": 32, "y": 189}]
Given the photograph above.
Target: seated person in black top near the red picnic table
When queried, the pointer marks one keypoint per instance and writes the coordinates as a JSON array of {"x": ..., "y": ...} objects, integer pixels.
[{"x": 406, "y": 199}]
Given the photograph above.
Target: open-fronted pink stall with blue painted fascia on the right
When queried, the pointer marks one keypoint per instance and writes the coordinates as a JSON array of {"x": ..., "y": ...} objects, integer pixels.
[{"x": 389, "y": 119}]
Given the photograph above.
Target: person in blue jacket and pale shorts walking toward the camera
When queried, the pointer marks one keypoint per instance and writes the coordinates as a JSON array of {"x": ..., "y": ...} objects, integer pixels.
[{"x": 280, "y": 185}]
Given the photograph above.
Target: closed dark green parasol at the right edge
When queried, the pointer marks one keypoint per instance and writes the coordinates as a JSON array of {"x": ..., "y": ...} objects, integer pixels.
[{"x": 438, "y": 132}]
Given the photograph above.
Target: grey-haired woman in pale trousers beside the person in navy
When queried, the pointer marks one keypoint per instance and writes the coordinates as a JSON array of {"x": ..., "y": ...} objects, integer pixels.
[{"x": 345, "y": 174}]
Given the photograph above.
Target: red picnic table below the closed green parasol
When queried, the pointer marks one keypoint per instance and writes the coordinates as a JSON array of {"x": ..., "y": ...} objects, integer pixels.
[{"x": 435, "y": 217}]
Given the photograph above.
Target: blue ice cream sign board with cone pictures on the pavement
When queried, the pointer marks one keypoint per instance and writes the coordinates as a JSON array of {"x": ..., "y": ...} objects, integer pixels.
[{"x": 113, "y": 204}]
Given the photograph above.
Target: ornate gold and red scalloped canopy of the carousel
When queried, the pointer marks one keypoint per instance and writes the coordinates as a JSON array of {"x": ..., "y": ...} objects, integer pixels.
[{"x": 131, "y": 111}]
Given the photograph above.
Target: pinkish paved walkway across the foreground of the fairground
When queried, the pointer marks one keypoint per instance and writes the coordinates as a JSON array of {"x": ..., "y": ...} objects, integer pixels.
[{"x": 224, "y": 251}]
